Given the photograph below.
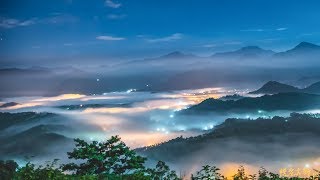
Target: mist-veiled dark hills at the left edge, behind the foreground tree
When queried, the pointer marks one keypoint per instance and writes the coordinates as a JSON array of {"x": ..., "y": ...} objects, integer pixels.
[{"x": 31, "y": 134}]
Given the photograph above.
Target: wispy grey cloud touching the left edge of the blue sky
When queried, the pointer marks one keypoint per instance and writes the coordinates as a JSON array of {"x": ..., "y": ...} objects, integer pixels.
[{"x": 12, "y": 23}]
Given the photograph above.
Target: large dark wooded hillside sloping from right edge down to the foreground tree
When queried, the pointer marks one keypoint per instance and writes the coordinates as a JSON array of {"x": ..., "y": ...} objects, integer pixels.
[{"x": 277, "y": 138}]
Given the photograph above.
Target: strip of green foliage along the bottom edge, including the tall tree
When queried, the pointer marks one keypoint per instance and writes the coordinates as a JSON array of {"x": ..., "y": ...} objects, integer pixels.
[{"x": 113, "y": 160}]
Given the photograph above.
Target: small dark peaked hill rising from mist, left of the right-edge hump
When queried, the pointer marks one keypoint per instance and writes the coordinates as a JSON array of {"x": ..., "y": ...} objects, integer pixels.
[{"x": 274, "y": 87}]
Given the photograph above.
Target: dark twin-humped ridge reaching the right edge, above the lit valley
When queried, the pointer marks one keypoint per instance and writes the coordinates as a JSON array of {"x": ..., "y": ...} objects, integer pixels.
[{"x": 274, "y": 87}]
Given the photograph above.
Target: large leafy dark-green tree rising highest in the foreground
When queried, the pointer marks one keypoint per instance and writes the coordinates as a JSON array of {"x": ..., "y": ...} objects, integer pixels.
[{"x": 109, "y": 157}]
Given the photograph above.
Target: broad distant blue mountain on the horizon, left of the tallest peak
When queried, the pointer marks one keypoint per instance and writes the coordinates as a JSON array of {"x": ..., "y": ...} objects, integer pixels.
[{"x": 245, "y": 52}]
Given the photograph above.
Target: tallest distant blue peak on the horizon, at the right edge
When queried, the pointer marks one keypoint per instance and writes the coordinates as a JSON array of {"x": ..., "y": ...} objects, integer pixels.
[{"x": 303, "y": 49}]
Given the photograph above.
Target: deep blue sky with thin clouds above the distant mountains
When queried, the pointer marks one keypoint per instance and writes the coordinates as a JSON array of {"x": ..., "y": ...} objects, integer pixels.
[{"x": 81, "y": 30}]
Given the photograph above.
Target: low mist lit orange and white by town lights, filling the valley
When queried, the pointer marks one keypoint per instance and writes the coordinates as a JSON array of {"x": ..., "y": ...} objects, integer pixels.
[{"x": 143, "y": 119}]
